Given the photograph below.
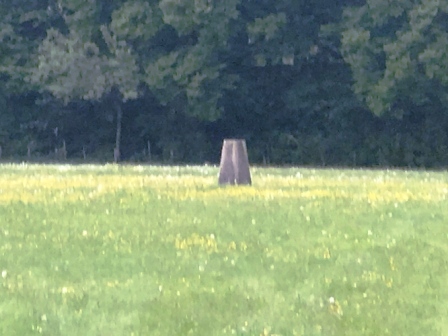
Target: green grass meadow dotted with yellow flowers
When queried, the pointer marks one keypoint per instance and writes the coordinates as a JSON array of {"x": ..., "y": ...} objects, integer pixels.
[{"x": 134, "y": 250}]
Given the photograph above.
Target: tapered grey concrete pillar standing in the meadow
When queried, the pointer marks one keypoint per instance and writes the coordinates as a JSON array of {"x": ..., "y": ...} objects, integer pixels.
[{"x": 234, "y": 166}]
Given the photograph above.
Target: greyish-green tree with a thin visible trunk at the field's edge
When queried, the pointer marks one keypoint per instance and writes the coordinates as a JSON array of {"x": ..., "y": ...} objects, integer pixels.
[{"x": 86, "y": 60}]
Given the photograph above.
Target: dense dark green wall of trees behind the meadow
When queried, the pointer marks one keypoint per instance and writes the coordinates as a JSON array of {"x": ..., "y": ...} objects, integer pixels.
[{"x": 348, "y": 82}]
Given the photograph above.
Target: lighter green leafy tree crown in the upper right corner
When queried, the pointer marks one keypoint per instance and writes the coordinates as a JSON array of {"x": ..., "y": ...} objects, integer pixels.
[{"x": 397, "y": 53}]
